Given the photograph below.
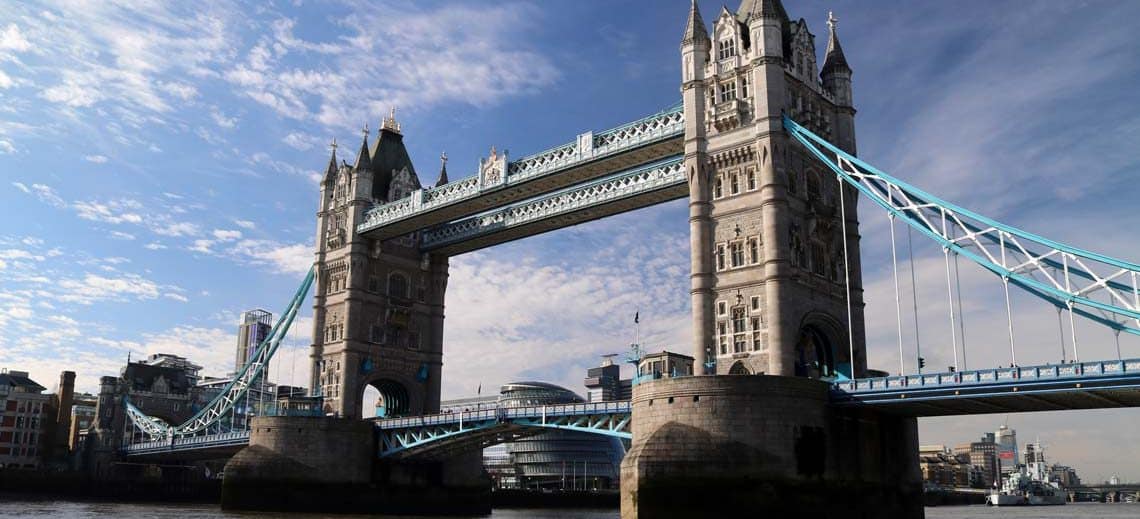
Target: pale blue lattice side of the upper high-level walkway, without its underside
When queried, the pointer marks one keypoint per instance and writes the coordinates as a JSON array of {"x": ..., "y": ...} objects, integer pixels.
[{"x": 666, "y": 125}]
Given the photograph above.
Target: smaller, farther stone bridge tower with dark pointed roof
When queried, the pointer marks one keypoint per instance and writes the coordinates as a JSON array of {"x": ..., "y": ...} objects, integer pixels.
[{"x": 378, "y": 306}]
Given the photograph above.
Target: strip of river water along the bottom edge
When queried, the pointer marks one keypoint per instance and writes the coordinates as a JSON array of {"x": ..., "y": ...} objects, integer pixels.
[{"x": 76, "y": 510}]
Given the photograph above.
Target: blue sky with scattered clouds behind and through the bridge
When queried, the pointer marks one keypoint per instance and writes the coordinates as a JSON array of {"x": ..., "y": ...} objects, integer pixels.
[{"x": 160, "y": 165}]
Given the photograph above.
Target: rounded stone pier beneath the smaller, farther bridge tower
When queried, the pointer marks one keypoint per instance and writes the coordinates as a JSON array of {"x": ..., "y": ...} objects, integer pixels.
[{"x": 330, "y": 466}]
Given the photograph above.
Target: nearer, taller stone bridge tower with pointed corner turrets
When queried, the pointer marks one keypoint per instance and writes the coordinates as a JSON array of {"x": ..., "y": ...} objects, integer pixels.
[{"x": 769, "y": 286}]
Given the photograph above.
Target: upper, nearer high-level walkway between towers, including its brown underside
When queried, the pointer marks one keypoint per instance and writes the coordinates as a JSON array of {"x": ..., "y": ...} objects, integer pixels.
[{"x": 590, "y": 158}]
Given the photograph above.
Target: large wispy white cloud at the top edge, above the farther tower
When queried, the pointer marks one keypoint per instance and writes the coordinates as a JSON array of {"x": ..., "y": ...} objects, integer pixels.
[{"x": 471, "y": 63}]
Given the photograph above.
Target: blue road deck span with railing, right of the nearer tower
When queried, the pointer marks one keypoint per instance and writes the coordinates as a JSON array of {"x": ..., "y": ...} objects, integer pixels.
[{"x": 1052, "y": 387}]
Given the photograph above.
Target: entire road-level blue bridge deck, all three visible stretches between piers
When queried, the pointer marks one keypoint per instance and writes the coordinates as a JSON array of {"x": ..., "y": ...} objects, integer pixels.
[{"x": 1052, "y": 387}]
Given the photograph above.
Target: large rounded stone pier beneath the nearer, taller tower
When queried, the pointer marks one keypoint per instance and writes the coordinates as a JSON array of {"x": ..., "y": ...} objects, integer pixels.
[{"x": 766, "y": 447}]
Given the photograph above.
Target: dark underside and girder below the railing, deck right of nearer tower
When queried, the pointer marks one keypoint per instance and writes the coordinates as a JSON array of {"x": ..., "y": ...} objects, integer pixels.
[{"x": 1005, "y": 398}]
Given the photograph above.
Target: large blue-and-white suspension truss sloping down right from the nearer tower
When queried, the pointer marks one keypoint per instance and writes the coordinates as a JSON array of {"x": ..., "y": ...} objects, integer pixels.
[{"x": 1096, "y": 287}]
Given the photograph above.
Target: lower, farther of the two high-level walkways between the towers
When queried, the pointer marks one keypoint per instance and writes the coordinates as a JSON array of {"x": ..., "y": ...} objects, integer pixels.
[{"x": 665, "y": 174}]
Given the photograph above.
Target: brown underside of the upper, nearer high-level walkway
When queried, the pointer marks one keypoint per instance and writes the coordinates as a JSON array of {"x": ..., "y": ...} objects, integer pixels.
[{"x": 528, "y": 189}]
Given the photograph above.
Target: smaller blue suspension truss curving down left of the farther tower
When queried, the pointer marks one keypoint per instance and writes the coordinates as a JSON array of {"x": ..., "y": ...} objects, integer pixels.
[{"x": 211, "y": 417}]
